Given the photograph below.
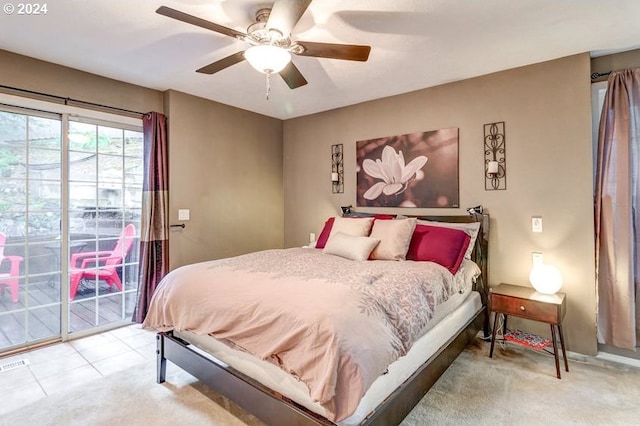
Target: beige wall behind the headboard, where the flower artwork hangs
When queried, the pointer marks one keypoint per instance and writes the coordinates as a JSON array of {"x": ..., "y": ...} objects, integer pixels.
[{"x": 546, "y": 108}]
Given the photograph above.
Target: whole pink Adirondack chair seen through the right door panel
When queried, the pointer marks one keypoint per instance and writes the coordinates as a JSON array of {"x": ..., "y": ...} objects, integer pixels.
[{"x": 101, "y": 265}]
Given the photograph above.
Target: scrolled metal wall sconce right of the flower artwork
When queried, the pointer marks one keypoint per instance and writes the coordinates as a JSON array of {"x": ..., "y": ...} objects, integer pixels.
[{"x": 495, "y": 163}]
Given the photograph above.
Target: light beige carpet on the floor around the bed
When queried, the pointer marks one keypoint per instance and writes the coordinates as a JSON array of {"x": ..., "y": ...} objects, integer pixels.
[{"x": 516, "y": 387}]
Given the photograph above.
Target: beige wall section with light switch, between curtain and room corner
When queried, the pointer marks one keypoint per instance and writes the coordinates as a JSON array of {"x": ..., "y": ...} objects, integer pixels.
[{"x": 226, "y": 167}]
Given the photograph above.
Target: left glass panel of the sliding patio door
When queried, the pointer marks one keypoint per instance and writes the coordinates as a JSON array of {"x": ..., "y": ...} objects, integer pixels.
[{"x": 30, "y": 218}]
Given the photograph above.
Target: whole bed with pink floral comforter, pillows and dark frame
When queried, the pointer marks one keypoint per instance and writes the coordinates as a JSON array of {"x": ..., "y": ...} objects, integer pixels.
[{"x": 376, "y": 376}]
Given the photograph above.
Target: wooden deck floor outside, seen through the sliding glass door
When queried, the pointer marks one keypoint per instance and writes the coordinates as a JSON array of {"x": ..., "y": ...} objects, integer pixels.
[{"x": 36, "y": 315}]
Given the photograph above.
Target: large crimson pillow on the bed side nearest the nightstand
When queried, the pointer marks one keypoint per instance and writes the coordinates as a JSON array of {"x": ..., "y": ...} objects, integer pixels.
[{"x": 445, "y": 246}]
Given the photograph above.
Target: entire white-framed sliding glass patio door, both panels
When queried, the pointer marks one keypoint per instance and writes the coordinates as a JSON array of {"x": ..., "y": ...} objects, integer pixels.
[{"x": 69, "y": 191}]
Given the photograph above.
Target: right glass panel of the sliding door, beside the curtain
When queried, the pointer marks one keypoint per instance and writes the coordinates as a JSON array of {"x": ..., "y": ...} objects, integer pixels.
[{"x": 105, "y": 193}]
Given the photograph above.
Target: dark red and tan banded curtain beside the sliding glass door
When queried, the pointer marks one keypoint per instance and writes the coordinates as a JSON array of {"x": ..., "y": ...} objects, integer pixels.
[{"x": 154, "y": 233}]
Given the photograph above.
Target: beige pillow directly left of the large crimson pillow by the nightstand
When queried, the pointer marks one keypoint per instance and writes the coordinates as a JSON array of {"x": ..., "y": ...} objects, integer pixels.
[{"x": 394, "y": 236}]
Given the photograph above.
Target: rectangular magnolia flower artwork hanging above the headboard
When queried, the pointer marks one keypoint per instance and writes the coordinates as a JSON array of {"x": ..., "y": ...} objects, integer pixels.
[{"x": 413, "y": 170}]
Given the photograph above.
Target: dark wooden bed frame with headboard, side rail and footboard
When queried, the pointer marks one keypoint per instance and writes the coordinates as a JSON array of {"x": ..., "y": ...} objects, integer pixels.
[{"x": 275, "y": 409}]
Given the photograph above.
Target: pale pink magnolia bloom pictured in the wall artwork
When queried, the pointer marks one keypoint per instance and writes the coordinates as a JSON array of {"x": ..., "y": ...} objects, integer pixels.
[{"x": 394, "y": 173}]
